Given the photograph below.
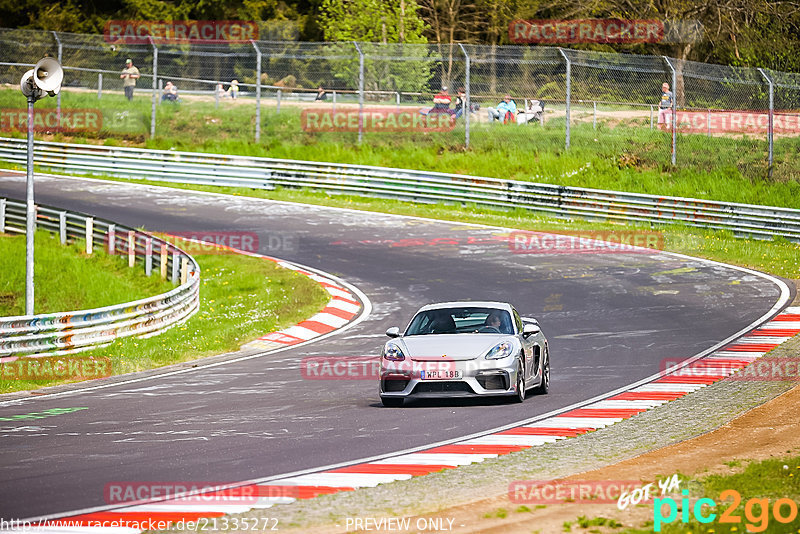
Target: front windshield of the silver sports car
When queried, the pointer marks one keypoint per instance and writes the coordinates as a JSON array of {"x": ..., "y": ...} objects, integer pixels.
[{"x": 461, "y": 321}]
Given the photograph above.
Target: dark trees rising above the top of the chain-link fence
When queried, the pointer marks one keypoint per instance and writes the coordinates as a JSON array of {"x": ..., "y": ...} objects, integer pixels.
[{"x": 757, "y": 33}]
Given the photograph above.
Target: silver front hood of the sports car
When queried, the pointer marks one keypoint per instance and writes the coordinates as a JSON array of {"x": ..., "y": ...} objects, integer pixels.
[{"x": 456, "y": 347}]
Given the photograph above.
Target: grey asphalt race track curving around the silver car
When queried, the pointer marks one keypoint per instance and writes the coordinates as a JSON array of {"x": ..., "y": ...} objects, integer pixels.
[{"x": 610, "y": 318}]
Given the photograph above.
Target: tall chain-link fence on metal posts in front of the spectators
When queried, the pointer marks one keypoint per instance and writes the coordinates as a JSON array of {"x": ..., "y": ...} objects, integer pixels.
[{"x": 745, "y": 120}]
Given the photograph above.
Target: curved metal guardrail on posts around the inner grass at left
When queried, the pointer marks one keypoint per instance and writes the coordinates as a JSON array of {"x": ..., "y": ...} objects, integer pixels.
[{"x": 58, "y": 333}]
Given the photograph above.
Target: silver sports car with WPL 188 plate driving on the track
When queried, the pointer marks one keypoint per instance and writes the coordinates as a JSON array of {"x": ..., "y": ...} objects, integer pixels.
[{"x": 464, "y": 349}]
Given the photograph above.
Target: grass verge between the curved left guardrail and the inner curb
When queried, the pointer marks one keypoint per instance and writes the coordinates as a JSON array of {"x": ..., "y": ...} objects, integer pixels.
[{"x": 241, "y": 298}]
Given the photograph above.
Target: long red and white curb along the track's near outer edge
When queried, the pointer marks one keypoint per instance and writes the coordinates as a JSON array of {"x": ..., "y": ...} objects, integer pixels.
[{"x": 670, "y": 385}]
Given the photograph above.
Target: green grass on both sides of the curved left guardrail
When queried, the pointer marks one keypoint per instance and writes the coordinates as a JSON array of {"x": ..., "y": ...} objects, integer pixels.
[{"x": 241, "y": 299}]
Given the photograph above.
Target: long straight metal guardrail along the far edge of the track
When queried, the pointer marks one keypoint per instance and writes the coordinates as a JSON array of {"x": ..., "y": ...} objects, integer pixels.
[{"x": 409, "y": 185}]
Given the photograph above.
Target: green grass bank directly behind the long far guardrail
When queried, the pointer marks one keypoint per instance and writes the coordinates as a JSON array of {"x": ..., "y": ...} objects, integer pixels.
[{"x": 626, "y": 157}]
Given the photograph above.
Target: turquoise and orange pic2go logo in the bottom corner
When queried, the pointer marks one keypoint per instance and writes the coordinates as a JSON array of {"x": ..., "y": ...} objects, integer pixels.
[{"x": 756, "y": 511}]
